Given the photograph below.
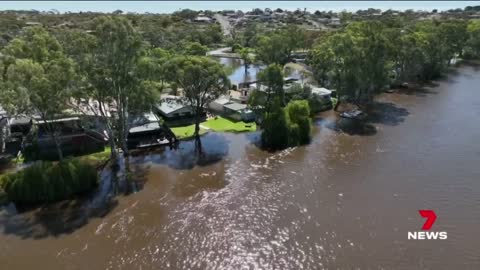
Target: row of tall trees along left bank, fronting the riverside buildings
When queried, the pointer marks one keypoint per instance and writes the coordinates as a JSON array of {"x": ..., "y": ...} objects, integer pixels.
[{"x": 113, "y": 73}]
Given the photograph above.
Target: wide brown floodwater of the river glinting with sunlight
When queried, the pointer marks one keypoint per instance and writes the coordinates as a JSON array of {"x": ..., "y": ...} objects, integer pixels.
[{"x": 346, "y": 201}]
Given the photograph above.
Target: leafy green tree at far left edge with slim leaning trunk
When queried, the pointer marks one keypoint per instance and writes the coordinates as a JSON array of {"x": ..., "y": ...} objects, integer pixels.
[{"x": 39, "y": 79}]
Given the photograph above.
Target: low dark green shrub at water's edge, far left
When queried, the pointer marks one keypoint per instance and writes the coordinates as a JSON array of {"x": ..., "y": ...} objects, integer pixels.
[{"x": 49, "y": 181}]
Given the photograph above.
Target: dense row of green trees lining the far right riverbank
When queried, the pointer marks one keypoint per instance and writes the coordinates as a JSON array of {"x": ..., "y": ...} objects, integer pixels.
[{"x": 367, "y": 56}]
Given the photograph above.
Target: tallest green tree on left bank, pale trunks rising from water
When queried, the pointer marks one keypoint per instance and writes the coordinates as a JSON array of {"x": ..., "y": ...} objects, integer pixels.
[{"x": 115, "y": 82}]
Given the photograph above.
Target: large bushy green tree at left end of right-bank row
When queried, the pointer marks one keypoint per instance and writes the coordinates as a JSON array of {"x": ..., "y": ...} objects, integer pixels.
[{"x": 355, "y": 62}]
